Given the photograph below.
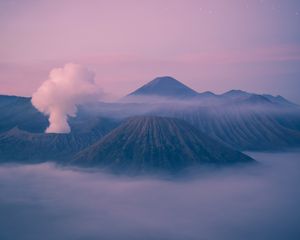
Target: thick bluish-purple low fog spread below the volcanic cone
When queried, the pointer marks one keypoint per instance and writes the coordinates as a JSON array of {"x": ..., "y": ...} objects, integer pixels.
[{"x": 45, "y": 202}]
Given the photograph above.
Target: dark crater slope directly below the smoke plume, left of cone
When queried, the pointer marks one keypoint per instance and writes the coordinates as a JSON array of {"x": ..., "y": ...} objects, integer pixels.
[{"x": 22, "y": 146}]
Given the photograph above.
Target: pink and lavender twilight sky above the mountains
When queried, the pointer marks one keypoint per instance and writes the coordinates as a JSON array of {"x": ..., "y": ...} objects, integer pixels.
[{"x": 214, "y": 45}]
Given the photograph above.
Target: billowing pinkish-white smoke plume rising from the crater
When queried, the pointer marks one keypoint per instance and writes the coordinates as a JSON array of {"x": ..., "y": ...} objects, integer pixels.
[{"x": 59, "y": 96}]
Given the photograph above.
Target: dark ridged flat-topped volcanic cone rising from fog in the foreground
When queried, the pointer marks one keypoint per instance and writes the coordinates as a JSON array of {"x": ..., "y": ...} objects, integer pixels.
[{"x": 148, "y": 143}]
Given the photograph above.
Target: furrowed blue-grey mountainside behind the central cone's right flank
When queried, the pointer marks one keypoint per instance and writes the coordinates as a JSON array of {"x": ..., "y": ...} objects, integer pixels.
[{"x": 242, "y": 127}]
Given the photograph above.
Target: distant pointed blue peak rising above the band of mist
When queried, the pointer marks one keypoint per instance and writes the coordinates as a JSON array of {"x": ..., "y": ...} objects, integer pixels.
[{"x": 166, "y": 87}]
